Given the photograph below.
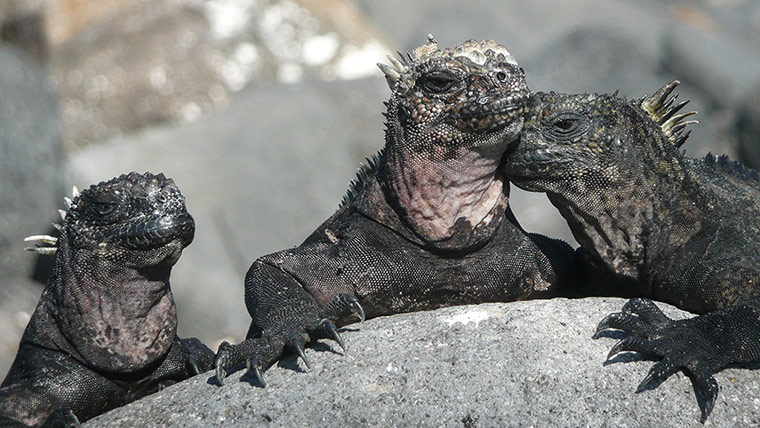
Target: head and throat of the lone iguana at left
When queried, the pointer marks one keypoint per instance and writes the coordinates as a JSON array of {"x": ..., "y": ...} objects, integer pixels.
[{"x": 110, "y": 287}]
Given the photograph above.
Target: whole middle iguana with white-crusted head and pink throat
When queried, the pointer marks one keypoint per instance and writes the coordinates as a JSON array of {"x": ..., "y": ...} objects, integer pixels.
[{"x": 426, "y": 223}]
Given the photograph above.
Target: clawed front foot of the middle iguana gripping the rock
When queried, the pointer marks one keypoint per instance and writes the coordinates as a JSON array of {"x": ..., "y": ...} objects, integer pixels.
[{"x": 258, "y": 353}]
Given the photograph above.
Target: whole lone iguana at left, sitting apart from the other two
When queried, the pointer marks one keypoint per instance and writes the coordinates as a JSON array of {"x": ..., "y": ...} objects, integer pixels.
[{"x": 105, "y": 329}]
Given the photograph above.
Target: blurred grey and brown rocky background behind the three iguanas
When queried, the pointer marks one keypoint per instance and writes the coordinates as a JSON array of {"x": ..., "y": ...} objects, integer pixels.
[{"x": 262, "y": 110}]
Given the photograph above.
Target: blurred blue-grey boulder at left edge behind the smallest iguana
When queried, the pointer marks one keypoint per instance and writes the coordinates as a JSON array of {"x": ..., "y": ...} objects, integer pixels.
[{"x": 31, "y": 166}]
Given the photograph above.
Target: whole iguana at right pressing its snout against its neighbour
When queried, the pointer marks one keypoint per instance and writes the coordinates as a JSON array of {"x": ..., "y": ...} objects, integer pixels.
[{"x": 668, "y": 227}]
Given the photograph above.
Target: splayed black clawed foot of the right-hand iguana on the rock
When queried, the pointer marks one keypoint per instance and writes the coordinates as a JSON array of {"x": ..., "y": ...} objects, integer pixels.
[{"x": 681, "y": 344}]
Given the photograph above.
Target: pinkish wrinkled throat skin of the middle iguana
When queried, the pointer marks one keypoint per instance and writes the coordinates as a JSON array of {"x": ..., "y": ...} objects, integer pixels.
[{"x": 452, "y": 204}]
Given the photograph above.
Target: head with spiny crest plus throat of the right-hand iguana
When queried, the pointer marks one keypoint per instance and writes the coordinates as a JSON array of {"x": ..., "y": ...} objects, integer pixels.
[{"x": 604, "y": 162}]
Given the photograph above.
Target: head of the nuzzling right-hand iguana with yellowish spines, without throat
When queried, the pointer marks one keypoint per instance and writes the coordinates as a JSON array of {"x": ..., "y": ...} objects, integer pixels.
[{"x": 594, "y": 140}]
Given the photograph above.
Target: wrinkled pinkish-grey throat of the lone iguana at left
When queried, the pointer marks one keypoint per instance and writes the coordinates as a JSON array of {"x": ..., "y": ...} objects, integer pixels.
[{"x": 117, "y": 318}]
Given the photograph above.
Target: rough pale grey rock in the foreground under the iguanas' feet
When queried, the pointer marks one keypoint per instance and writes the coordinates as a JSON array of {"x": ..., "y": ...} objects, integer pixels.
[{"x": 518, "y": 364}]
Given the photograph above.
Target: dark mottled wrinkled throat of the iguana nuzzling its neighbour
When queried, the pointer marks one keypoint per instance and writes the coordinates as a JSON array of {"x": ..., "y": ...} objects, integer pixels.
[{"x": 619, "y": 220}]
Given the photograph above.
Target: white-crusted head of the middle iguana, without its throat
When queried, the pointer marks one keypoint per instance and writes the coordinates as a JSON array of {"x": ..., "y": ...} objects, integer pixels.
[{"x": 452, "y": 100}]
